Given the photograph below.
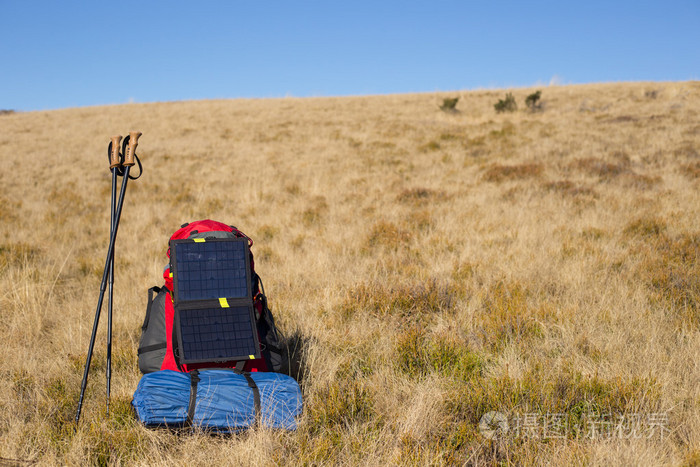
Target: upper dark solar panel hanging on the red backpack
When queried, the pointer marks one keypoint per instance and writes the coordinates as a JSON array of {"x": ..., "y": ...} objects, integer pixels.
[{"x": 211, "y": 269}]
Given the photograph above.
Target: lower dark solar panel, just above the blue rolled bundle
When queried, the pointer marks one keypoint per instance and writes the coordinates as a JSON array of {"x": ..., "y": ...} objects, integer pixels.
[{"x": 217, "y": 334}]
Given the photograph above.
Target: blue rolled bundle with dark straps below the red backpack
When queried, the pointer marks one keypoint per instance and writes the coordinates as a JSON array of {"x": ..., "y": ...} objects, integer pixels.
[{"x": 218, "y": 400}]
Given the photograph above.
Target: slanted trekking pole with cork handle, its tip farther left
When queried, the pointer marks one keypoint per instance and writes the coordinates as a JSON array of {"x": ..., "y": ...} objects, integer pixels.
[{"x": 129, "y": 145}]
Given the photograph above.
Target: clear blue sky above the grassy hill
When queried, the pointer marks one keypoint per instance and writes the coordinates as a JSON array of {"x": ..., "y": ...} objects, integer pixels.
[{"x": 56, "y": 54}]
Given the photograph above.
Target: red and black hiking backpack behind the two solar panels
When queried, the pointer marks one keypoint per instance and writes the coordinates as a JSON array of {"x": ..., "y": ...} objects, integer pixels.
[{"x": 158, "y": 345}]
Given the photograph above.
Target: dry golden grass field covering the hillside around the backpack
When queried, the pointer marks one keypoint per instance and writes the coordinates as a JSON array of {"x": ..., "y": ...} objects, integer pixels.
[{"x": 427, "y": 268}]
